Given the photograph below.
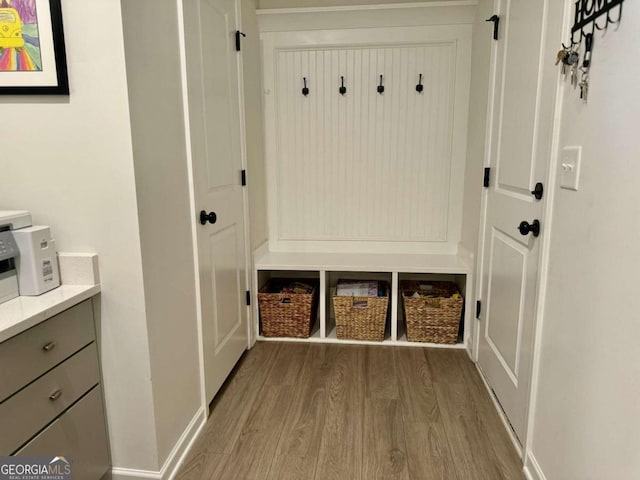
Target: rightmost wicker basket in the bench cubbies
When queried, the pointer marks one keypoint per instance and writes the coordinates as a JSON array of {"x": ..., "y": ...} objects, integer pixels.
[{"x": 434, "y": 318}]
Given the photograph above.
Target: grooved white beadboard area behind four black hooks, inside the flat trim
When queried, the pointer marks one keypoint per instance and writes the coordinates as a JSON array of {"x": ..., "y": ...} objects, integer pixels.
[{"x": 365, "y": 166}]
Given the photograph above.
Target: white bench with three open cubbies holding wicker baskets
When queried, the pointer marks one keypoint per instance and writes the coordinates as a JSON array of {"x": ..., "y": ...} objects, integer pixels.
[{"x": 328, "y": 267}]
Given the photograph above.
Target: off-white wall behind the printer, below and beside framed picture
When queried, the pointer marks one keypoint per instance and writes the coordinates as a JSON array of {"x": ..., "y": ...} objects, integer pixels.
[{"x": 69, "y": 161}]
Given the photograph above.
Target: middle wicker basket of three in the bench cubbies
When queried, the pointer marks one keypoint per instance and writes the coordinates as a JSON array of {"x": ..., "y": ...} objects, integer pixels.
[{"x": 361, "y": 318}]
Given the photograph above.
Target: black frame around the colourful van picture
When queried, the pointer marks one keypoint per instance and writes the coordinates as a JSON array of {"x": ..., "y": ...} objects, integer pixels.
[{"x": 61, "y": 87}]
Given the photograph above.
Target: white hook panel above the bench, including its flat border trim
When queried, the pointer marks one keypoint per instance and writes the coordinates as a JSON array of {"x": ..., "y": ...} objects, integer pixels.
[{"x": 364, "y": 171}]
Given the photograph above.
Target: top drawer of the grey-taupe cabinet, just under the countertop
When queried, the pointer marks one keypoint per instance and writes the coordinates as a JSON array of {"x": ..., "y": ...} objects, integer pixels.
[{"x": 30, "y": 354}]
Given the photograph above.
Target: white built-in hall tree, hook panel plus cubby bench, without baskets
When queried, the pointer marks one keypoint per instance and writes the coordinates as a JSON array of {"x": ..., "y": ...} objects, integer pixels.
[{"x": 366, "y": 183}]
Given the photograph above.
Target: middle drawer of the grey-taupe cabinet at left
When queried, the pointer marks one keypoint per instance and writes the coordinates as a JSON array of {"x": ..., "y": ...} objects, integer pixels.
[{"x": 28, "y": 411}]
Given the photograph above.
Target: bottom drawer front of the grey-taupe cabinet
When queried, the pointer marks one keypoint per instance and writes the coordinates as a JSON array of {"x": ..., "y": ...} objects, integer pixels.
[{"x": 79, "y": 435}]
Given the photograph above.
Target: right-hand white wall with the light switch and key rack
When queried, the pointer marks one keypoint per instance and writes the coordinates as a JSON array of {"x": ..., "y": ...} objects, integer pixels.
[{"x": 587, "y": 415}]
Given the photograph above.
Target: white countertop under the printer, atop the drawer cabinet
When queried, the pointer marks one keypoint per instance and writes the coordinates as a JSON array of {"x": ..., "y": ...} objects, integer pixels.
[{"x": 21, "y": 313}]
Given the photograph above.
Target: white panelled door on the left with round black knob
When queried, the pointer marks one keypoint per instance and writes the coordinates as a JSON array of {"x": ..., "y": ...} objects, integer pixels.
[{"x": 214, "y": 114}]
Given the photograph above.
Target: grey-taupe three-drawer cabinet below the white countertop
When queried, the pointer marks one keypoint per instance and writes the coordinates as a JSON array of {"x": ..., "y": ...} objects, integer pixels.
[{"x": 50, "y": 393}]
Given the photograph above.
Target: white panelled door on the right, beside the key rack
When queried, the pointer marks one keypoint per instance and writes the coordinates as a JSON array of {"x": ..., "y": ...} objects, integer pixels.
[{"x": 518, "y": 161}]
